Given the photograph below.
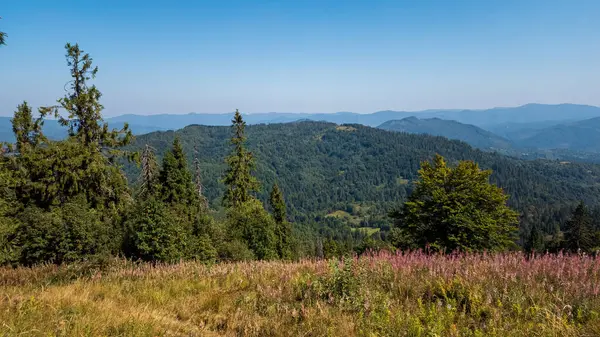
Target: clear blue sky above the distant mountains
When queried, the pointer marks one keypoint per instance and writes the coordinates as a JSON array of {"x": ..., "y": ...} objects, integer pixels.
[{"x": 305, "y": 55}]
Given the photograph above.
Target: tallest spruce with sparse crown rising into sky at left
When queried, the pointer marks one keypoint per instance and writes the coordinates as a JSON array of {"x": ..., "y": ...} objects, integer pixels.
[{"x": 85, "y": 162}]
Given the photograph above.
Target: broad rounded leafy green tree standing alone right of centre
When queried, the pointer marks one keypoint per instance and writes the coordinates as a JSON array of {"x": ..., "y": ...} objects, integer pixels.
[{"x": 457, "y": 208}]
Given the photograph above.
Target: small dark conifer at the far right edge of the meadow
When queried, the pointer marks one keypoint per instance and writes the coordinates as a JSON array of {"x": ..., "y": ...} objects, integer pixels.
[{"x": 579, "y": 234}]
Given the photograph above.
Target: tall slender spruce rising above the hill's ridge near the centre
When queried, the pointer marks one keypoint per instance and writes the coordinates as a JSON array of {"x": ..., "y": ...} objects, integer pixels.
[{"x": 238, "y": 178}]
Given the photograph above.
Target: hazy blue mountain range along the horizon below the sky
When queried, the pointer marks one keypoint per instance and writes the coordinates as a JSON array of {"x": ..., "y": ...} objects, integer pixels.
[{"x": 531, "y": 128}]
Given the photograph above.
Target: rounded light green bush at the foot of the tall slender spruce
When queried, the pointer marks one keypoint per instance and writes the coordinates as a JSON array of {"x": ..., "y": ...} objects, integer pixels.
[{"x": 250, "y": 223}]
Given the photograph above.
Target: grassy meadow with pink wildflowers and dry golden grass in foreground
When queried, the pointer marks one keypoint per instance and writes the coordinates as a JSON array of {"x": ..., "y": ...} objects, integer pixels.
[{"x": 412, "y": 294}]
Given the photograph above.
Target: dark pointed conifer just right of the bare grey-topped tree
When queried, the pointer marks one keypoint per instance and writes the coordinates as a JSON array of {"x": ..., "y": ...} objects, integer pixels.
[{"x": 175, "y": 177}]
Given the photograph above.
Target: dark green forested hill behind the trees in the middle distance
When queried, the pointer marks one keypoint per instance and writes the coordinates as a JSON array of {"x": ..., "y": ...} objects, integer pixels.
[{"x": 324, "y": 167}]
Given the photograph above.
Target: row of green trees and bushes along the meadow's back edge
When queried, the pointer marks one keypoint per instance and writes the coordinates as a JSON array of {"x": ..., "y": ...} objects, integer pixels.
[{"x": 69, "y": 200}]
